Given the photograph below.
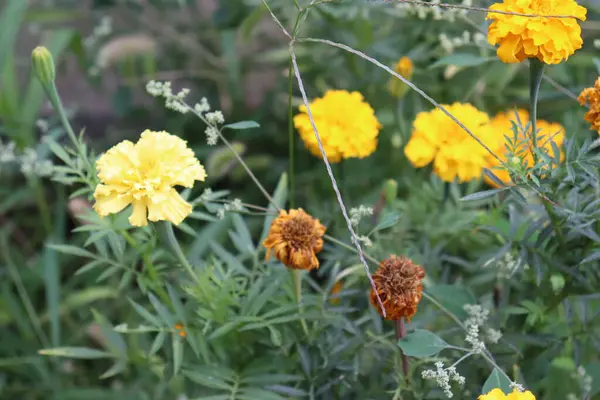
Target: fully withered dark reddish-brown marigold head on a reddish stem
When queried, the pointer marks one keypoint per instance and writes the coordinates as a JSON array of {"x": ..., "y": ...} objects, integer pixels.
[{"x": 399, "y": 285}]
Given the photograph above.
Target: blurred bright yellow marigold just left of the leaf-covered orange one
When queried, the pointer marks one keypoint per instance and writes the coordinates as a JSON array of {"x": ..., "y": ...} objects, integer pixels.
[{"x": 454, "y": 153}]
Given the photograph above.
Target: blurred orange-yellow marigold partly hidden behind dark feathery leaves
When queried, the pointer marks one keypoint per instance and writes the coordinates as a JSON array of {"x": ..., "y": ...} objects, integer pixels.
[{"x": 548, "y": 132}]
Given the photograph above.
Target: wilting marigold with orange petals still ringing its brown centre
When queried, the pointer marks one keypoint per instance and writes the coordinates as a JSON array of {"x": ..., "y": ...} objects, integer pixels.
[{"x": 296, "y": 238}]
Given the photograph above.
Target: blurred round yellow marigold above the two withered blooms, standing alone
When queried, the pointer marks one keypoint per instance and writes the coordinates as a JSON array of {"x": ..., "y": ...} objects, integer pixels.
[{"x": 346, "y": 123}]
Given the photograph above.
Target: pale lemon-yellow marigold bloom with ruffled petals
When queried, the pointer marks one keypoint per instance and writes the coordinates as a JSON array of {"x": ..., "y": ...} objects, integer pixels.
[{"x": 144, "y": 174}]
